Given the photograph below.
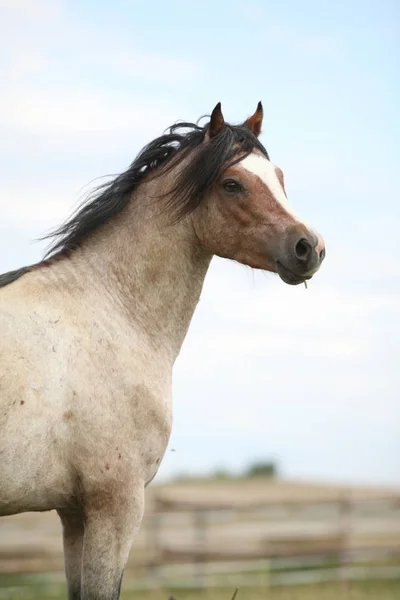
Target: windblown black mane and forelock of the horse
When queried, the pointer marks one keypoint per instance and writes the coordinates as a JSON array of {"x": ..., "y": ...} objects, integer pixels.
[{"x": 232, "y": 144}]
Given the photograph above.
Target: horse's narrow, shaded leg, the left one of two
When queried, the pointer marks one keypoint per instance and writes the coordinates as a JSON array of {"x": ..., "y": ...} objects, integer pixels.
[{"x": 73, "y": 530}]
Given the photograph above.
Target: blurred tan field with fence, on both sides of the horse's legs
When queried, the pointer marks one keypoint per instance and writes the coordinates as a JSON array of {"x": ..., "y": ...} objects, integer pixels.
[{"x": 263, "y": 535}]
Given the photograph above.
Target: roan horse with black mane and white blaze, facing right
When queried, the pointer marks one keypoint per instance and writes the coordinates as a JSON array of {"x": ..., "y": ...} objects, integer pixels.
[{"x": 90, "y": 334}]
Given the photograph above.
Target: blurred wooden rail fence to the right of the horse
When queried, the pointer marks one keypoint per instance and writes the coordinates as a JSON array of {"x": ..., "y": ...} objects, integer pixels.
[{"x": 297, "y": 537}]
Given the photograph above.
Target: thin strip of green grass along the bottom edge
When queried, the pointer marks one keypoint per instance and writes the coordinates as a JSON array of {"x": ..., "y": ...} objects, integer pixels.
[{"x": 11, "y": 589}]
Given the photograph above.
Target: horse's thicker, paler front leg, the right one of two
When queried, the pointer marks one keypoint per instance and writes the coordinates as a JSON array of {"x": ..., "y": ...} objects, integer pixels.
[{"x": 109, "y": 530}]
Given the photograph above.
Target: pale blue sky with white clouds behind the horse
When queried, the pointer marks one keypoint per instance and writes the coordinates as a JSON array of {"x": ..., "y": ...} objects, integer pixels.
[{"x": 308, "y": 378}]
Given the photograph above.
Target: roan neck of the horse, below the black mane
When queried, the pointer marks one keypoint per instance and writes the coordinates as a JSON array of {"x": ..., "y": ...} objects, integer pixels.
[{"x": 154, "y": 271}]
